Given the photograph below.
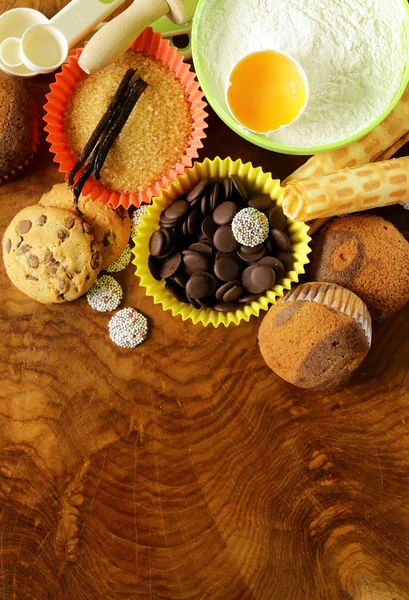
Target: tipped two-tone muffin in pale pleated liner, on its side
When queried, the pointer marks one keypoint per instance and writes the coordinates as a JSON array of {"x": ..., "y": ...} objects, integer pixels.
[{"x": 316, "y": 337}]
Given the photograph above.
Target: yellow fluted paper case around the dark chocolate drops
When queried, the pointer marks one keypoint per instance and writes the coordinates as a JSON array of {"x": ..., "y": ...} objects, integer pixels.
[{"x": 255, "y": 180}]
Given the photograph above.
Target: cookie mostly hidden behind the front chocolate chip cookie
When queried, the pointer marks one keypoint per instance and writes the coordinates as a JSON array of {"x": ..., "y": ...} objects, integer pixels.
[{"x": 112, "y": 228}]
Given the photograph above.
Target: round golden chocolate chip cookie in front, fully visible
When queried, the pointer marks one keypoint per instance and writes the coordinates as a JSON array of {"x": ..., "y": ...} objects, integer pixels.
[{"x": 50, "y": 254}]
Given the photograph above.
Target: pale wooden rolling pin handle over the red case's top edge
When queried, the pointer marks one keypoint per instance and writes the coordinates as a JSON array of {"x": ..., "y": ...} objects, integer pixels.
[{"x": 115, "y": 37}]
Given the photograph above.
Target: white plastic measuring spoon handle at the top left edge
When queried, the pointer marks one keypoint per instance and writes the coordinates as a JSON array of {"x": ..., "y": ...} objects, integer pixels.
[{"x": 81, "y": 16}]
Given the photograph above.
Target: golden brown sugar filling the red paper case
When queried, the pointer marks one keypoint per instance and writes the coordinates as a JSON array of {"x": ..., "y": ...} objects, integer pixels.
[{"x": 156, "y": 134}]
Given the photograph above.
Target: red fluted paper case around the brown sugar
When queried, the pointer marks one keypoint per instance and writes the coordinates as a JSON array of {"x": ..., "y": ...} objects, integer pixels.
[{"x": 153, "y": 45}]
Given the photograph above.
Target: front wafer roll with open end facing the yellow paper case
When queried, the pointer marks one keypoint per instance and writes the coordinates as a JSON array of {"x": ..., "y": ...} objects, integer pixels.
[{"x": 348, "y": 190}]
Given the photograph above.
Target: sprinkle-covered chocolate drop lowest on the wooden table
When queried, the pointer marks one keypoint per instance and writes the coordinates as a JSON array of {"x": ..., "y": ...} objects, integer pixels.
[{"x": 128, "y": 328}]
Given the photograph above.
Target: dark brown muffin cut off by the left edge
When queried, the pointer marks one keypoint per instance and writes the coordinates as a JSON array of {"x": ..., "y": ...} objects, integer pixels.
[{"x": 19, "y": 127}]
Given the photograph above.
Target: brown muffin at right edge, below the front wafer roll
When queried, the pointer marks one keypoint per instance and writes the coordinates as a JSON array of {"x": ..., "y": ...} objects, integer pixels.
[{"x": 367, "y": 255}]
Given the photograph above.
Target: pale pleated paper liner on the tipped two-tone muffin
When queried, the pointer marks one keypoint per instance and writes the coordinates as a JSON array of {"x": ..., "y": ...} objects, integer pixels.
[{"x": 336, "y": 297}]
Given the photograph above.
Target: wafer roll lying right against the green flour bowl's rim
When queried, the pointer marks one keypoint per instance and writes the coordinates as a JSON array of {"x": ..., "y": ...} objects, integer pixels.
[{"x": 381, "y": 143}]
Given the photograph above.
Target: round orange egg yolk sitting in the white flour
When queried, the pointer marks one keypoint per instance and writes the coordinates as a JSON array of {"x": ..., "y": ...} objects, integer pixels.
[{"x": 266, "y": 91}]
